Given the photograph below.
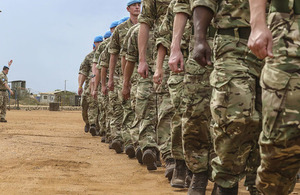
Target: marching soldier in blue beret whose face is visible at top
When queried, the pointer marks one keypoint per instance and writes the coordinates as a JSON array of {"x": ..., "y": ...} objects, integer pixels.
[{"x": 122, "y": 109}]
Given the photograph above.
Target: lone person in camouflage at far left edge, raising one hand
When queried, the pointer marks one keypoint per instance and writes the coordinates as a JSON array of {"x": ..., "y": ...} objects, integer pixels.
[{"x": 3, "y": 91}]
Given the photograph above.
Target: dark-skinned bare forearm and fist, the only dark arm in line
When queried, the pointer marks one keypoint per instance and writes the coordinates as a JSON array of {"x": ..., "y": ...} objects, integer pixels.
[{"x": 202, "y": 19}]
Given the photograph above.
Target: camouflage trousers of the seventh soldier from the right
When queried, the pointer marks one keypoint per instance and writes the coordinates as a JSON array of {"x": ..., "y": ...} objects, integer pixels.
[{"x": 116, "y": 110}]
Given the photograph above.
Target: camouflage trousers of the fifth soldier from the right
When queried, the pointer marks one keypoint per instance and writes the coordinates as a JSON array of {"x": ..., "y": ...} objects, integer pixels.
[{"x": 146, "y": 113}]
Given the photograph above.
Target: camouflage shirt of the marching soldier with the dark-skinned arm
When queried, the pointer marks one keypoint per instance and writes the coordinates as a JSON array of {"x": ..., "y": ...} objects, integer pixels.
[{"x": 228, "y": 13}]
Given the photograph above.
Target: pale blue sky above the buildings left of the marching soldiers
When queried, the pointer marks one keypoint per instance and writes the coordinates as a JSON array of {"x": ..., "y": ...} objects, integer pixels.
[{"x": 48, "y": 39}]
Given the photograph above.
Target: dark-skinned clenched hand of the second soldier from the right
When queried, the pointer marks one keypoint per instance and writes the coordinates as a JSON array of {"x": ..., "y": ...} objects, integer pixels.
[{"x": 202, "y": 52}]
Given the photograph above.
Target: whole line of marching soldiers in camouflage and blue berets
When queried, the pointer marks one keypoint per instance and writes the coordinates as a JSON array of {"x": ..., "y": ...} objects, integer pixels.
[{"x": 179, "y": 82}]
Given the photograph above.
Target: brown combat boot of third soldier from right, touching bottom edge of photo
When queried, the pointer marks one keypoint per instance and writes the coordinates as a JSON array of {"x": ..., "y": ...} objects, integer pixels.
[{"x": 198, "y": 184}]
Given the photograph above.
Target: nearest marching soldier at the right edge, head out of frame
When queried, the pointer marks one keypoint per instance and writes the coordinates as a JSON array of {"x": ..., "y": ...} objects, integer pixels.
[{"x": 280, "y": 81}]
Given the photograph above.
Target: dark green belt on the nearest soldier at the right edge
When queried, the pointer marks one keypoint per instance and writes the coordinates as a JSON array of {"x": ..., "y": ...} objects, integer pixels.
[{"x": 283, "y": 6}]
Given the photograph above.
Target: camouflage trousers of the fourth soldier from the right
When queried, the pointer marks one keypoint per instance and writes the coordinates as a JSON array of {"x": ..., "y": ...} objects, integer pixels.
[{"x": 165, "y": 111}]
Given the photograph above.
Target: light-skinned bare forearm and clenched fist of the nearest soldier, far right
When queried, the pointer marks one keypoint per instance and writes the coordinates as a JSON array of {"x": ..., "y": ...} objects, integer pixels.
[{"x": 260, "y": 40}]
